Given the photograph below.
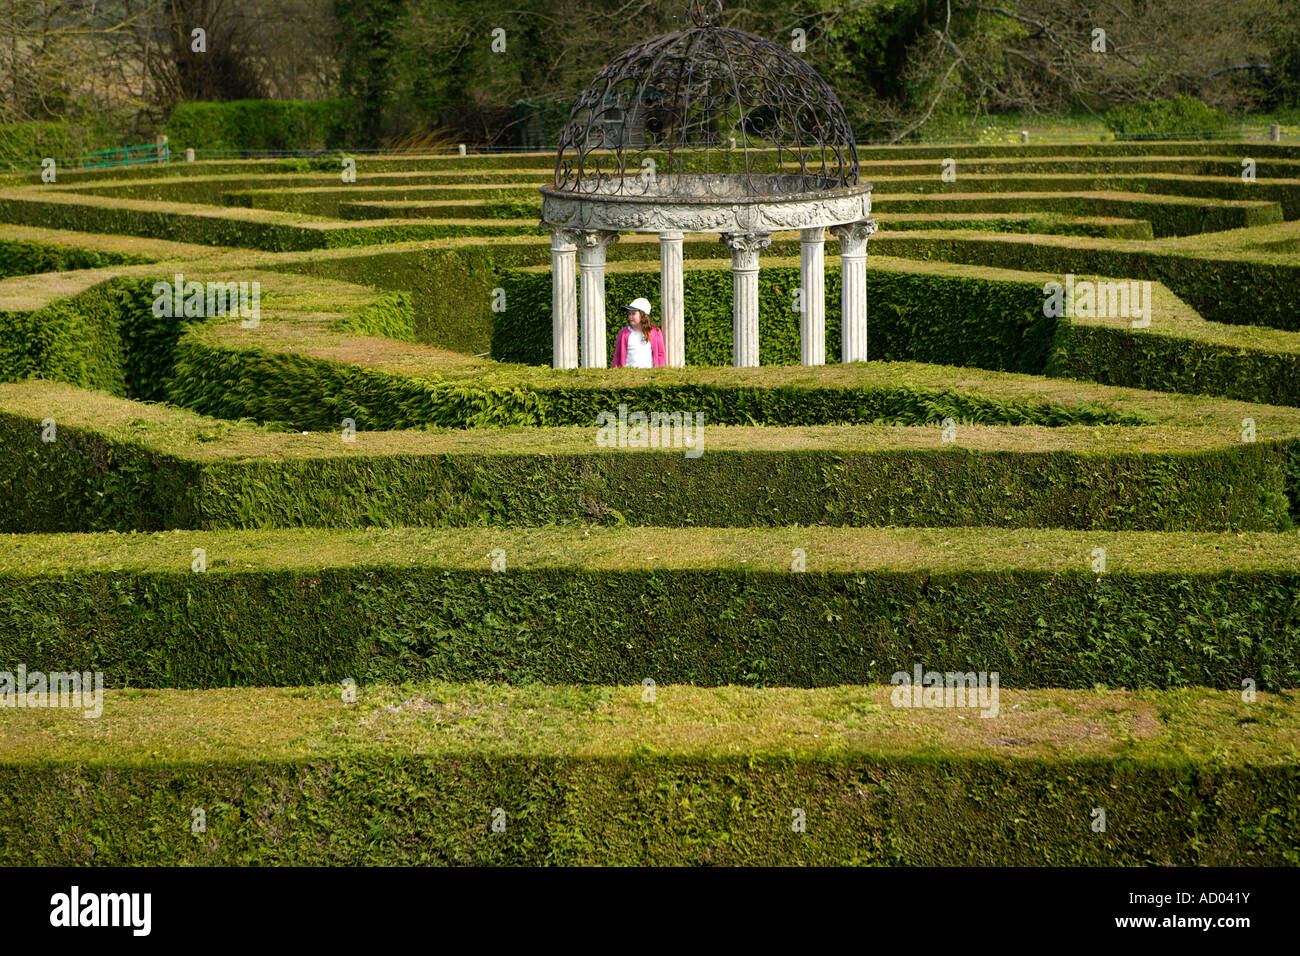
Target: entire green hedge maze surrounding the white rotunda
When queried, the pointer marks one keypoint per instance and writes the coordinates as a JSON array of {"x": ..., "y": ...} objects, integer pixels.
[{"x": 366, "y": 586}]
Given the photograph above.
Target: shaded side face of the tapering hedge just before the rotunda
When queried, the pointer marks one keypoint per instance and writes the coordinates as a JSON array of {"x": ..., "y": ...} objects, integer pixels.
[{"x": 305, "y": 392}]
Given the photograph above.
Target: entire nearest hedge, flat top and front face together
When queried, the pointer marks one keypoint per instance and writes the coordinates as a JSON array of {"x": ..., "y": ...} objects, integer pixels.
[{"x": 349, "y": 798}]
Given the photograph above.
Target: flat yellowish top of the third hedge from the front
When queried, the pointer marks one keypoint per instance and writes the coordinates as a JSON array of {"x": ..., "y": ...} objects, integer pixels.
[{"x": 1201, "y": 425}]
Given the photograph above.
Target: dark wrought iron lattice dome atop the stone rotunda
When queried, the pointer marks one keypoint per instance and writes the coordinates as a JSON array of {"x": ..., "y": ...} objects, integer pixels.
[{"x": 707, "y": 113}]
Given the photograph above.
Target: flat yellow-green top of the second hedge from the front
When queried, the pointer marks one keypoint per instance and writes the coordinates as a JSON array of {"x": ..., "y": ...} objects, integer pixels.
[{"x": 827, "y": 550}]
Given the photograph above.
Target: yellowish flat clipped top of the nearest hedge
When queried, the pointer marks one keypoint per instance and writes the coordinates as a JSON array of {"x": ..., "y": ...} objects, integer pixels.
[{"x": 157, "y": 728}]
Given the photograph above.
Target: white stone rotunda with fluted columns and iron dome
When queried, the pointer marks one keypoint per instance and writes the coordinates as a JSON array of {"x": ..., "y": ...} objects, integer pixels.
[{"x": 707, "y": 131}]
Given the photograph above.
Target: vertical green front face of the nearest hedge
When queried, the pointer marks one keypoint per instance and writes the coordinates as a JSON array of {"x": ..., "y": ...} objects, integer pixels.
[{"x": 400, "y": 810}]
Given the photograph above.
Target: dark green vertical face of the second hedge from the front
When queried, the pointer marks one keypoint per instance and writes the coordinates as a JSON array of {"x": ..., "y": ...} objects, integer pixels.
[{"x": 1037, "y": 629}]
